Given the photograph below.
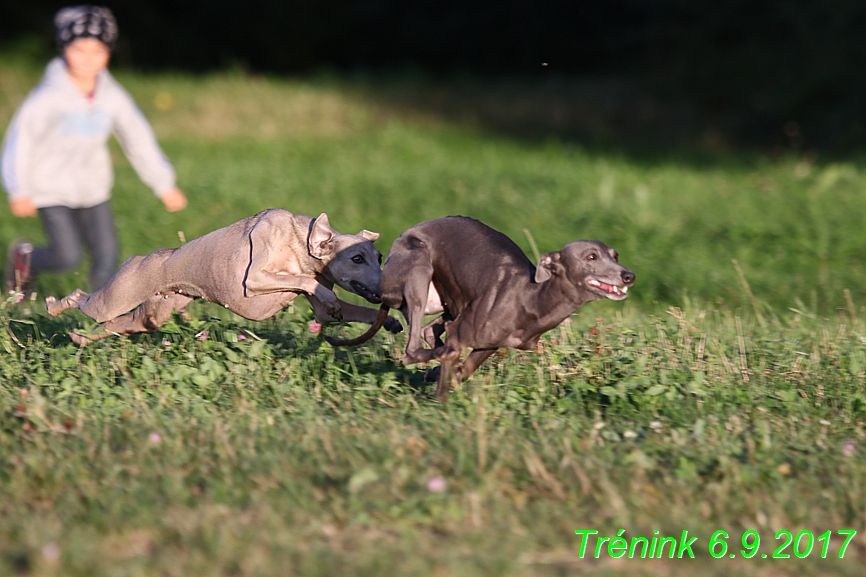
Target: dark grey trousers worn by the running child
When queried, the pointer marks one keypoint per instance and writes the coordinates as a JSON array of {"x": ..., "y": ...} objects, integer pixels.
[{"x": 66, "y": 229}]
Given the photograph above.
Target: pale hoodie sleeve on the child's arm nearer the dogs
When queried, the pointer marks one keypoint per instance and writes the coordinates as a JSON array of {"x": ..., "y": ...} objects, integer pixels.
[{"x": 138, "y": 141}]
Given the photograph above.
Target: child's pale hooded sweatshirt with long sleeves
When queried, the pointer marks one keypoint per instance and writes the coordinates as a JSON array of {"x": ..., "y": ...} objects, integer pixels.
[{"x": 56, "y": 148}]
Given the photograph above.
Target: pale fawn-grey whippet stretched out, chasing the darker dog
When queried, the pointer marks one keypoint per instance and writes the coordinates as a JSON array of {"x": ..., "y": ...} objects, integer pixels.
[{"x": 253, "y": 267}]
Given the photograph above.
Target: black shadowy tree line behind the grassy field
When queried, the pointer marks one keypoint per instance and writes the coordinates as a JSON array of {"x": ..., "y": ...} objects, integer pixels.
[{"x": 774, "y": 60}]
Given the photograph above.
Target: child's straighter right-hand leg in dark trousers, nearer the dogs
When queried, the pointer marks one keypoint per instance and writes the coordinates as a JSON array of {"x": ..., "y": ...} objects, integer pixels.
[{"x": 96, "y": 225}]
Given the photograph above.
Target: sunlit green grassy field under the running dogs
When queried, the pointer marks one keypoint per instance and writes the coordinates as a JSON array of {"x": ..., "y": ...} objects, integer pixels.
[{"x": 727, "y": 393}]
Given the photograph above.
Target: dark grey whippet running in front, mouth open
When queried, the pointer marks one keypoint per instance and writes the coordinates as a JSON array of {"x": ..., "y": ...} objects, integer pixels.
[{"x": 489, "y": 292}]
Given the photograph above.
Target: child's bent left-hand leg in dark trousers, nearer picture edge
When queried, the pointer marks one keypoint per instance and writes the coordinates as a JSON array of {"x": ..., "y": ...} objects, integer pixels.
[{"x": 63, "y": 252}]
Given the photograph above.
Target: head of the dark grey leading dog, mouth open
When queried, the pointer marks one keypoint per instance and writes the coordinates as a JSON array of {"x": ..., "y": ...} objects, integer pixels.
[{"x": 588, "y": 264}]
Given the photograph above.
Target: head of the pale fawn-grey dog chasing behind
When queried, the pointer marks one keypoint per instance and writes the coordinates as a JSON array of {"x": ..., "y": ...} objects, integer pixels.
[{"x": 351, "y": 260}]
